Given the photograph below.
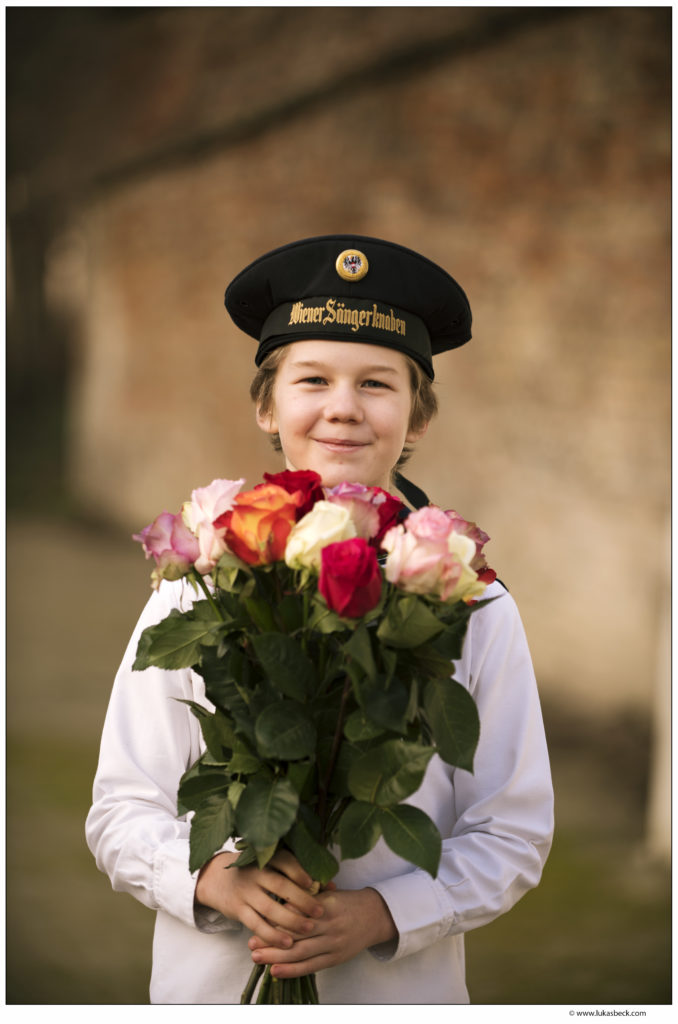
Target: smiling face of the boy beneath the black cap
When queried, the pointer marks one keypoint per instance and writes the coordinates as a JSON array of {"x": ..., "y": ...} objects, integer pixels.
[{"x": 343, "y": 409}]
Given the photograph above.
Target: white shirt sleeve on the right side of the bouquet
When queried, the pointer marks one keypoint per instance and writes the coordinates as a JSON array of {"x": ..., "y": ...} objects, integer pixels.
[{"x": 503, "y": 814}]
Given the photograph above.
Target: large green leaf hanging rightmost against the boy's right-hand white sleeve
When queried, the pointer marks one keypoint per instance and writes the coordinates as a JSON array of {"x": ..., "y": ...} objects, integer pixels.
[{"x": 454, "y": 721}]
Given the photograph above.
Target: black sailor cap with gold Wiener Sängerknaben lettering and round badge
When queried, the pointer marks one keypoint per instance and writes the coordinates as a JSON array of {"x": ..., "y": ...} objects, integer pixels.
[{"x": 351, "y": 288}]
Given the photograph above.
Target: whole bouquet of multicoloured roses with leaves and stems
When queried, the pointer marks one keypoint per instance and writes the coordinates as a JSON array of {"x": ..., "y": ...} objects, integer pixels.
[{"x": 324, "y": 626}]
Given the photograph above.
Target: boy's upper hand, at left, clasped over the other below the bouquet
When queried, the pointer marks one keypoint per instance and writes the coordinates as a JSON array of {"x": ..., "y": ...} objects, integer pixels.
[{"x": 274, "y": 903}]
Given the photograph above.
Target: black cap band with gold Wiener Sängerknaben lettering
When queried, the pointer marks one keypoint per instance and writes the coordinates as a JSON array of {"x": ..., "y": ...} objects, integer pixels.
[{"x": 350, "y": 320}]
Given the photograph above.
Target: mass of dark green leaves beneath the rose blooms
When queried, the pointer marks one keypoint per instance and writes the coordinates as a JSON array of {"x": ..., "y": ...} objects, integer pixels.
[{"x": 321, "y": 727}]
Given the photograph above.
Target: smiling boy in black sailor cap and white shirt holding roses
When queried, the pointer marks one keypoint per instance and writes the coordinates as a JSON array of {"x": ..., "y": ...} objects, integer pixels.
[{"x": 347, "y": 328}]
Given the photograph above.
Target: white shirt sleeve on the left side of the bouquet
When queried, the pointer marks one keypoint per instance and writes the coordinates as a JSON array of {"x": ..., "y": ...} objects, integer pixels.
[{"x": 149, "y": 741}]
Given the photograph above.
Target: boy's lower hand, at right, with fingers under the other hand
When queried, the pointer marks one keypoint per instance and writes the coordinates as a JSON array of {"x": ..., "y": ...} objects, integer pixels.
[{"x": 354, "y": 920}]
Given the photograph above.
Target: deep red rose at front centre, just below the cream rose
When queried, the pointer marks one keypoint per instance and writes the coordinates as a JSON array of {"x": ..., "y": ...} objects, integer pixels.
[{"x": 351, "y": 579}]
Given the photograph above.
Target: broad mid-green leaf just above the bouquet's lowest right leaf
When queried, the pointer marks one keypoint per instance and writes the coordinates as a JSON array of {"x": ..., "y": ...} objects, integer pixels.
[{"x": 390, "y": 773}]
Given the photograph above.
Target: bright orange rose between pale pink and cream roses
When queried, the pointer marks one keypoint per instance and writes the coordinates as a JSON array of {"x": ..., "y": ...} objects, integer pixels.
[{"x": 260, "y": 524}]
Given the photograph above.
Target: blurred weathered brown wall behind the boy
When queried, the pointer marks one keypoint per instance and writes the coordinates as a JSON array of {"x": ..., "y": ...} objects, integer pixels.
[{"x": 525, "y": 150}]
